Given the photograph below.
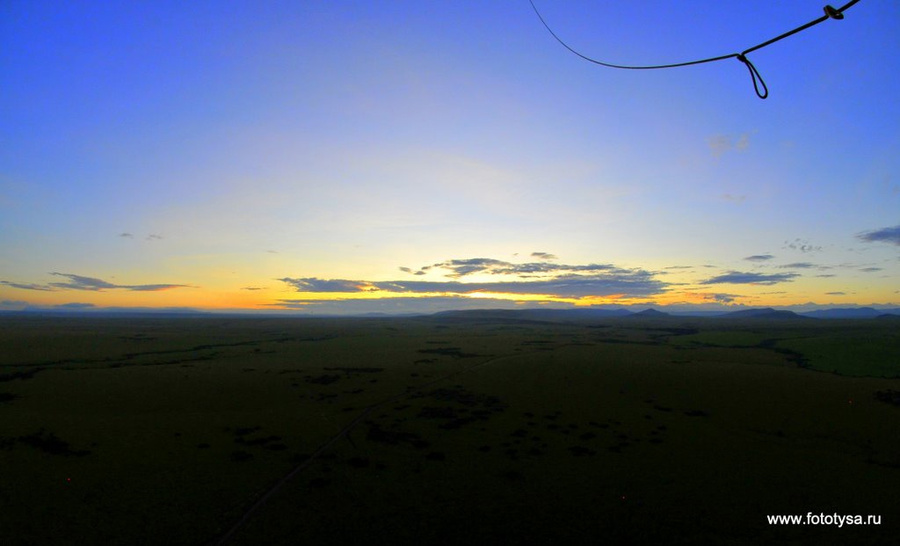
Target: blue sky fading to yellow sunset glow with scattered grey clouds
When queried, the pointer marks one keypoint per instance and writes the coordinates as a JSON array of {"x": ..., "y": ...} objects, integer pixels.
[{"x": 351, "y": 156}]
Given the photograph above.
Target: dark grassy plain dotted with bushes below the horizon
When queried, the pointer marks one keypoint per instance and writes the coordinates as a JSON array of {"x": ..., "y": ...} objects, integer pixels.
[{"x": 669, "y": 431}]
